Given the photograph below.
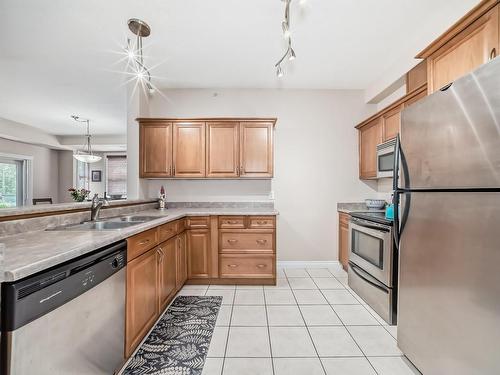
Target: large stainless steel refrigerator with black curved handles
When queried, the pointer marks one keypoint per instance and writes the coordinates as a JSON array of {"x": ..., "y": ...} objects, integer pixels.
[{"x": 448, "y": 227}]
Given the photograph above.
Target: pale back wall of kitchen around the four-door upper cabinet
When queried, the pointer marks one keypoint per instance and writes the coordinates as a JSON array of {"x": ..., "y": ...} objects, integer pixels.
[{"x": 316, "y": 159}]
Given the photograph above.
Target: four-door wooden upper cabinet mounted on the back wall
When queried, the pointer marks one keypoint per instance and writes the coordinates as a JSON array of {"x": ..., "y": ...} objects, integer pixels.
[{"x": 206, "y": 148}]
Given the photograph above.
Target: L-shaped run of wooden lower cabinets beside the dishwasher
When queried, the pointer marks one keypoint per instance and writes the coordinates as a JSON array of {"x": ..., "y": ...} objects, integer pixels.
[{"x": 191, "y": 250}]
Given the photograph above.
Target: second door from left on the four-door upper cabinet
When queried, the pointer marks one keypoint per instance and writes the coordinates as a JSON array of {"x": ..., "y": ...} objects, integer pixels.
[{"x": 189, "y": 149}]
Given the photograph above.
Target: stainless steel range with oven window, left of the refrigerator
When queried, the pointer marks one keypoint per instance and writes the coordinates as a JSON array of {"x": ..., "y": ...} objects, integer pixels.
[{"x": 372, "y": 271}]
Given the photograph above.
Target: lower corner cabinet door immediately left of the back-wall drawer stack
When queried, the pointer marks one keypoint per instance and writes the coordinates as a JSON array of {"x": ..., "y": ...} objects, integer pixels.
[{"x": 198, "y": 241}]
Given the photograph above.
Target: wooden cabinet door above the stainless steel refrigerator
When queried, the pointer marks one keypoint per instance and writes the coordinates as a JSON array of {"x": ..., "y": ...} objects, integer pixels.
[{"x": 474, "y": 46}]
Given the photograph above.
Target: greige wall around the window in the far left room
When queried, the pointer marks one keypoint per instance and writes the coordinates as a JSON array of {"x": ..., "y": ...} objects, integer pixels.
[{"x": 45, "y": 167}]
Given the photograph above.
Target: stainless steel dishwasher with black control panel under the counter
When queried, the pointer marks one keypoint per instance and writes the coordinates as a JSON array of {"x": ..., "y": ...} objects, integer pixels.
[{"x": 67, "y": 320}]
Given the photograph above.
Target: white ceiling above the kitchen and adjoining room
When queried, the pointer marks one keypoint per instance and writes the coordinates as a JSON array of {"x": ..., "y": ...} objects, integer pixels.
[{"x": 60, "y": 57}]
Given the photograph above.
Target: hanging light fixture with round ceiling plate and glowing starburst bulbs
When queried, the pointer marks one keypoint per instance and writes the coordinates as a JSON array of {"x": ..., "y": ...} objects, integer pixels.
[{"x": 134, "y": 52}]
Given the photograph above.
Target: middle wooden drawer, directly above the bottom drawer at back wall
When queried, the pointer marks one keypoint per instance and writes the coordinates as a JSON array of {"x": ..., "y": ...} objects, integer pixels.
[{"x": 246, "y": 242}]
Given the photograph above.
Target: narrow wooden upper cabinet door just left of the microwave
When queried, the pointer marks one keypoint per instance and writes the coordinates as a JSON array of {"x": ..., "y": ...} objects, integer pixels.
[{"x": 370, "y": 136}]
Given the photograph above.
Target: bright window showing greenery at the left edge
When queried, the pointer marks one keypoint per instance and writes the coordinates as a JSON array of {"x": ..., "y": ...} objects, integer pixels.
[{"x": 13, "y": 181}]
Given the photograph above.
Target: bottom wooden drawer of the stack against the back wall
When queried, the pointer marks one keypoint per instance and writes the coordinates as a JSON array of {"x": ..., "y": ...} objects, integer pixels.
[{"x": 246, "y": 266}]
